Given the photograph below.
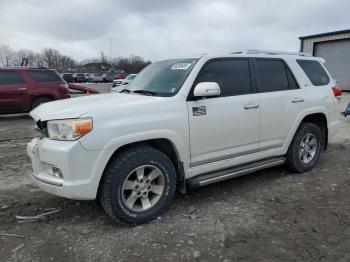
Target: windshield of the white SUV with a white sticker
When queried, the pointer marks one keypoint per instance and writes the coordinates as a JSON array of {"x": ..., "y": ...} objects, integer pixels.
[{"x": 163, "y": 78}]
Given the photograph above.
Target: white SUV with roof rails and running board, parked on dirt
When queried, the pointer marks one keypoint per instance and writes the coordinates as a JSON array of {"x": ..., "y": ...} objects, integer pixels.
[{"x": 185, "y": 123}]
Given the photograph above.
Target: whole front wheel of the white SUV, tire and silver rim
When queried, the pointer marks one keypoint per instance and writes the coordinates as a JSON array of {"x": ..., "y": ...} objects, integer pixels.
[{"x": 138, "y": 185}]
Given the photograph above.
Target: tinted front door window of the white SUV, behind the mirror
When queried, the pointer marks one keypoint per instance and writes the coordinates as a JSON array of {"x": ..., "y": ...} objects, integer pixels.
[{"x": 233, "y": 76}]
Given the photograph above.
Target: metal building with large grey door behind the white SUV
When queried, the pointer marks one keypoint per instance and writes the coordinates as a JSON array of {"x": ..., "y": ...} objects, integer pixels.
[{"x": 334, "y": 47}]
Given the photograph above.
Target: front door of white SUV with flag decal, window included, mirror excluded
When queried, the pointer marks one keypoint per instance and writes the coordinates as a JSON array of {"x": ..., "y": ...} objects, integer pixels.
[{"x": 228, "y": 125}]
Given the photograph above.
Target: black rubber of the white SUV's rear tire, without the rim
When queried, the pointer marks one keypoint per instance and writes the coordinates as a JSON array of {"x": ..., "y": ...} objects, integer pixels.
[{"x": 294, "y": 162}]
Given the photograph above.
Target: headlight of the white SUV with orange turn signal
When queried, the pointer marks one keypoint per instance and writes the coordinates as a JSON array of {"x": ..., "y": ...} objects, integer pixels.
[{"x": 69, "y": 129}]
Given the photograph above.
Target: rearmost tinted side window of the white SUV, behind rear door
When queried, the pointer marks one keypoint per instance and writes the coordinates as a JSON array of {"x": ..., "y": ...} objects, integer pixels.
[{"x": 315, "y": 72}]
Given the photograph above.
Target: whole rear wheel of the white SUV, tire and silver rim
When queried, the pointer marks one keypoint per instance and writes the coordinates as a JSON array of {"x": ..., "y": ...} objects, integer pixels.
[{"x": 305, "y": 148}]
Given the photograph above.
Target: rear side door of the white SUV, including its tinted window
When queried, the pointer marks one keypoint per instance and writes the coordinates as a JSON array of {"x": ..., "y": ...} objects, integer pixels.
[{"x": 281, "y": 101}]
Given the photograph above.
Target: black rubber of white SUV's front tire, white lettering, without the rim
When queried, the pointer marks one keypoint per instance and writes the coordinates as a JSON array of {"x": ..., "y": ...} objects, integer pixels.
[{"x": 118, "y": 170}]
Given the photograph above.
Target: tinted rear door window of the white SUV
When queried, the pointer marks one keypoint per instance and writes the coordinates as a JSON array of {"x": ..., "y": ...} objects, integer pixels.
[{"x": 272, "y": 75}]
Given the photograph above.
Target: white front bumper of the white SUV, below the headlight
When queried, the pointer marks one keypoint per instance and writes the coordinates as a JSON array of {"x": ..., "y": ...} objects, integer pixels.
[{"x": 64, "y": 168}]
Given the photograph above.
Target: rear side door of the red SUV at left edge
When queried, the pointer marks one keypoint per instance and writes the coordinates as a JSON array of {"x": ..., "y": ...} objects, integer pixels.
[{"x": 13, "y": 92}]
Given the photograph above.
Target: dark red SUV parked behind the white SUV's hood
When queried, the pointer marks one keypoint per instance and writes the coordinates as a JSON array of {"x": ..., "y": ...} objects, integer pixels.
[{"x": 24, "y": 88}]
